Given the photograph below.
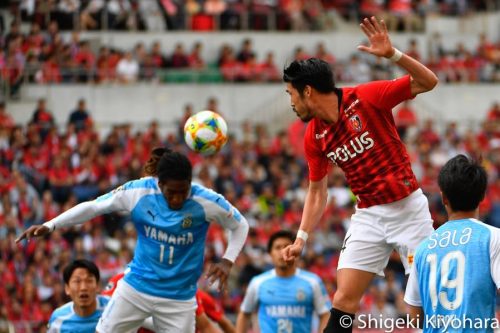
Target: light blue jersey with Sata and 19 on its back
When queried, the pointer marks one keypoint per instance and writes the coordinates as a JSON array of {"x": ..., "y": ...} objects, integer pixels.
[{"x": 455, "y": 277}]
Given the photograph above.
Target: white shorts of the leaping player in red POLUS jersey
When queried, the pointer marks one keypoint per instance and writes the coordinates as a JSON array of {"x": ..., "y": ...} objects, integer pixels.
[{"x": 377, "y": 230}]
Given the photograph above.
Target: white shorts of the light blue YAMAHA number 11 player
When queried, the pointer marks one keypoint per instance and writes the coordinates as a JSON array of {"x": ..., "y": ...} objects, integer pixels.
[{"x": 128, "y": 308}]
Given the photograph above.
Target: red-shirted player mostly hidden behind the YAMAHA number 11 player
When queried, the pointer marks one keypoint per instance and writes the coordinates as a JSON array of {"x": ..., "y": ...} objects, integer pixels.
[{"x": 207, "y": 308}]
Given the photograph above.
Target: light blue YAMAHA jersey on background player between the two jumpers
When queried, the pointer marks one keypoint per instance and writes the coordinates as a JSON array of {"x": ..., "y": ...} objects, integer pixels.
[{"x": 286, "y": 304}]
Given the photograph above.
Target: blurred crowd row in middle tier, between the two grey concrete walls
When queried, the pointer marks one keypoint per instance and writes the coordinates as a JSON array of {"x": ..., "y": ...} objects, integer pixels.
[{"x": 44, "y": 56}]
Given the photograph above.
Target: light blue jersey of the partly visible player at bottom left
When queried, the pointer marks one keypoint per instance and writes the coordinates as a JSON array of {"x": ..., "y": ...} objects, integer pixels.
[{"x": 65, "y": 320}]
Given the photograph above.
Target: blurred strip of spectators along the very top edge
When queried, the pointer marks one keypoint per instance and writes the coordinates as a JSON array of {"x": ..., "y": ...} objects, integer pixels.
[{"x": 157, "y": 15}]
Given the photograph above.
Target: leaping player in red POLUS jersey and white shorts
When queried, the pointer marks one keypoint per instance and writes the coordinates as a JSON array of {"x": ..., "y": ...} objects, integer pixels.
[{"x": 354, "y": 128}]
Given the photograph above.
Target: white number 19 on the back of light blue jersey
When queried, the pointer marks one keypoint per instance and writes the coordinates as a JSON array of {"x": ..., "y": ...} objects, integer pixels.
[{"x": 456, "y": 283}]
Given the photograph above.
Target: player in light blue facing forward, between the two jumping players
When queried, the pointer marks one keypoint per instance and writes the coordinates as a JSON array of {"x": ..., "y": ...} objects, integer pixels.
[{"x": 286, "y": 297}]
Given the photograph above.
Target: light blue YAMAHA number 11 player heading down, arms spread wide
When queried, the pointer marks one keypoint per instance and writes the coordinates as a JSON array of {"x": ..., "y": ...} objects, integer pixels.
[{"x": 171, "y": 216}]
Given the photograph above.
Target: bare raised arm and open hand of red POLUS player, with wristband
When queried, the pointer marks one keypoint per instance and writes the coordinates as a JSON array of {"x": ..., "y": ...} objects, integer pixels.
[{"x": 422, "y": 78}]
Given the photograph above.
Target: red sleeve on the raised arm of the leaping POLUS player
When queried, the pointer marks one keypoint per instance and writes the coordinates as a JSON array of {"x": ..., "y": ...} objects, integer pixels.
[{"x": 385, "y": 95}]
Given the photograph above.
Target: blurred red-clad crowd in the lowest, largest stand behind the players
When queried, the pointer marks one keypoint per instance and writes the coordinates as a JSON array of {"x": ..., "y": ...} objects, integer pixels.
[{"x": 44, "y": 170}]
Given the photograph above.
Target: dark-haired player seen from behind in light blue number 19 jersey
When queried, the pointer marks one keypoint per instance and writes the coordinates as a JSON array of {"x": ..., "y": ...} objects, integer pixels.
[{"x": 456, "y": 271}]
